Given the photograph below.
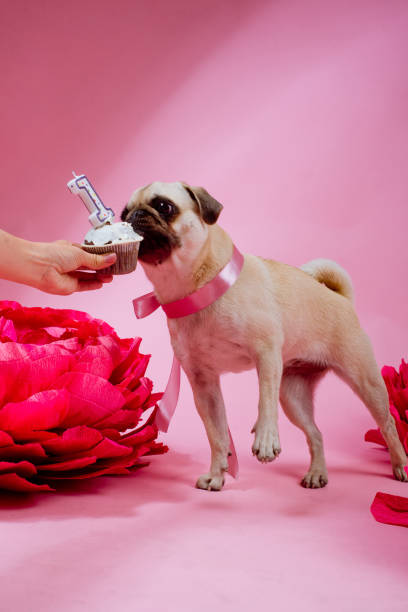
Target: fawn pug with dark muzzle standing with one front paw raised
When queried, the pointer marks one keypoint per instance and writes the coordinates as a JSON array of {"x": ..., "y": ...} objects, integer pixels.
[{"x": 292, "y": 324}]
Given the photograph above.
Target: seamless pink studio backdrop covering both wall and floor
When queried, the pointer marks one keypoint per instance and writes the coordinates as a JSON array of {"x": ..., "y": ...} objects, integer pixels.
[{"x": 294, "y": 115}]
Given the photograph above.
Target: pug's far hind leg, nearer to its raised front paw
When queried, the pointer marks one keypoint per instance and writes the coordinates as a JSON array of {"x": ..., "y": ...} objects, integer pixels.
[{"x": 296, "y": 397}]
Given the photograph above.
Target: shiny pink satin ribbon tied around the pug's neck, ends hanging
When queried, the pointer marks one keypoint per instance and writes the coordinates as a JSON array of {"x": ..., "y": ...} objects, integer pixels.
[{"x": 200, "y": 299}]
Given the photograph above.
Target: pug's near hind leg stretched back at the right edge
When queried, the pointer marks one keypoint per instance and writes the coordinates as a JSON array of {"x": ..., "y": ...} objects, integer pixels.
[{"x": 359, "y": 369}]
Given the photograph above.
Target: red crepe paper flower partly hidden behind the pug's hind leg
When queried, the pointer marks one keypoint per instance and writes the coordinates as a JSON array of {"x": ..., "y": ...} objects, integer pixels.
[{"x": 397, "y": 386}]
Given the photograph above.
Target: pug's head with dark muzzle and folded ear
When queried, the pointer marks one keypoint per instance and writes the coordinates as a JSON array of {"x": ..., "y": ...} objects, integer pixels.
[{"x": 170, "y": 216}]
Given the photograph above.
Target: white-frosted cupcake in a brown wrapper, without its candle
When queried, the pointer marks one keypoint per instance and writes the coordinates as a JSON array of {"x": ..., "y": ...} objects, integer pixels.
[{"x": 119, "y": 238}]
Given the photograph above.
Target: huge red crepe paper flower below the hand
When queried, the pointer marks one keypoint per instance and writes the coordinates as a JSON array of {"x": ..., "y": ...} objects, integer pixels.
[{"x": 72, "y": 396}]
